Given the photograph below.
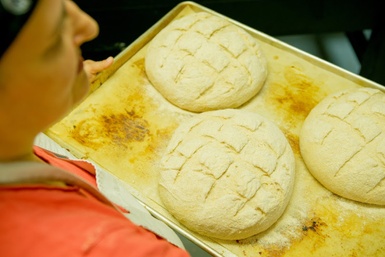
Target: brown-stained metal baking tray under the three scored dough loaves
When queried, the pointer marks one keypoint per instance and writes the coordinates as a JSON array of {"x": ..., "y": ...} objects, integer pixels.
[{"x": 124, "y": 126}]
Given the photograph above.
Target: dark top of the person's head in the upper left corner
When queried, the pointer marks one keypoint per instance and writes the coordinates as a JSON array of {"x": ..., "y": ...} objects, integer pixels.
[{"x": 13, "y": 15}]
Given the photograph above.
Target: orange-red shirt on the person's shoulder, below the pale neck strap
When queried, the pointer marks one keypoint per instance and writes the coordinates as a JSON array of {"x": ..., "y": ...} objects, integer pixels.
[{"x": 62, "y": 216}]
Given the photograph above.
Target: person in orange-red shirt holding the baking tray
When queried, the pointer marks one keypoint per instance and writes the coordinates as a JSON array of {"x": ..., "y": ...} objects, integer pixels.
[{"x": 50, "y": 205}]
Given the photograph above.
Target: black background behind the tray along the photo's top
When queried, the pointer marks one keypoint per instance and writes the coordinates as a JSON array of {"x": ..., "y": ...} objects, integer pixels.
[{"x": 123, "y": 21}]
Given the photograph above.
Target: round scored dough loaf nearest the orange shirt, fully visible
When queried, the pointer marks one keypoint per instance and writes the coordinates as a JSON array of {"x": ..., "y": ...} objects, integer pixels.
[{"x": 227, "y": 174}]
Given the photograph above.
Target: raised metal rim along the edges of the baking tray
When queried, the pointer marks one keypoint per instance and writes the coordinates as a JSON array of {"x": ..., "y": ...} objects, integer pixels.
[{"x": 150, "y": 33}]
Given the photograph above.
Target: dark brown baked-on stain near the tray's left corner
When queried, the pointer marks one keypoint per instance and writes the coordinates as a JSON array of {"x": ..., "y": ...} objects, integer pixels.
[{"x": 119, "y": 129}]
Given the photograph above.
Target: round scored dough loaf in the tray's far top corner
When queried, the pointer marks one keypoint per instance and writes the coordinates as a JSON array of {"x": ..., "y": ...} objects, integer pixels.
[{"x": 202, "y": 62}]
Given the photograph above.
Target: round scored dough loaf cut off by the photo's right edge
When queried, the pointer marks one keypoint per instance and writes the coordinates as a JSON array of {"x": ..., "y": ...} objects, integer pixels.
[{"x": 342, "y": 142}]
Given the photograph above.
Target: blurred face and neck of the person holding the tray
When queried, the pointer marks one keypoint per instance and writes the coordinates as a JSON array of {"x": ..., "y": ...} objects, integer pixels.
[{"x": 41, "y": 73}]
